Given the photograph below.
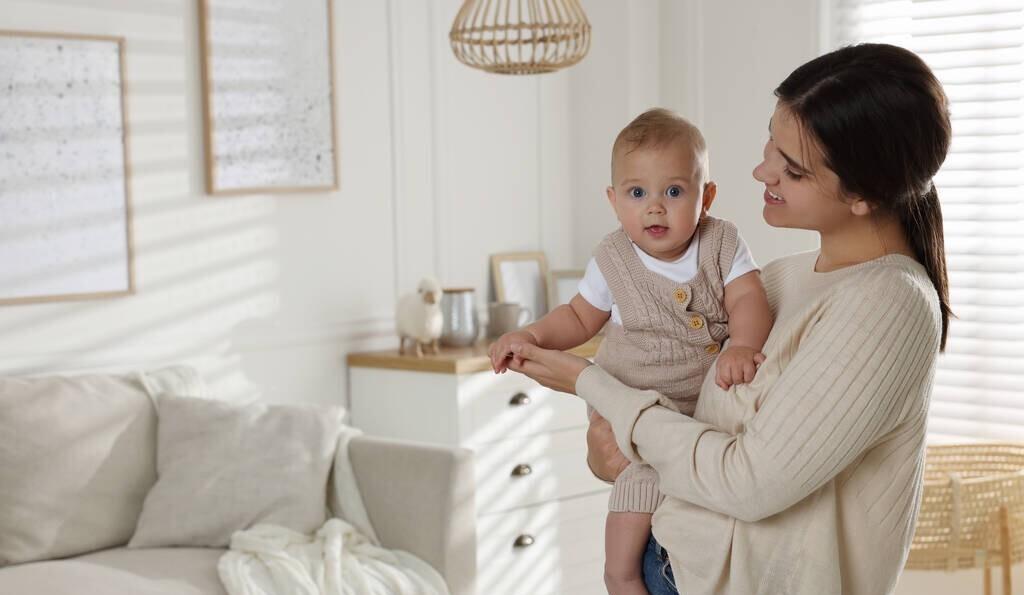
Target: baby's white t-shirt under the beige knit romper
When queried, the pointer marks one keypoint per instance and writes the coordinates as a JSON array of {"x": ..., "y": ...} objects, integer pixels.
[{"x": 595, "y": 289}]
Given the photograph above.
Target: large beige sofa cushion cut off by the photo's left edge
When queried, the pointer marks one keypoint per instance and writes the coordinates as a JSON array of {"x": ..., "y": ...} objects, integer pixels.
[{"x": 77, "y": 459}]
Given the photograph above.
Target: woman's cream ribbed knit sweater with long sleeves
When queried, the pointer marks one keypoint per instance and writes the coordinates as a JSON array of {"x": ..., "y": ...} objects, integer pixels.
[{"x": 808, "y": 480}]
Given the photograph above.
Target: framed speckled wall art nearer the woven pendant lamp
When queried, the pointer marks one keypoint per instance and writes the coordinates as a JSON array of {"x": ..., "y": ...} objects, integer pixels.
[{"x": 269, "y": 96}]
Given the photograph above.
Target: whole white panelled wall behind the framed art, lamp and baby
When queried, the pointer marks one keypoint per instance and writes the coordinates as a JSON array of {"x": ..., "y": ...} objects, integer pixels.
[{"x": 441, "y": 167}]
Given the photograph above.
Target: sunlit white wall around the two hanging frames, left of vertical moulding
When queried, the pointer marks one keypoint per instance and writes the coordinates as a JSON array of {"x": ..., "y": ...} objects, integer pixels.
[{"x": 255, "y": 290}]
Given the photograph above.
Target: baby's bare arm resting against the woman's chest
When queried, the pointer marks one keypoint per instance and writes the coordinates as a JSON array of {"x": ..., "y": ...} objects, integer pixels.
[{"x": 750, "y": 323}]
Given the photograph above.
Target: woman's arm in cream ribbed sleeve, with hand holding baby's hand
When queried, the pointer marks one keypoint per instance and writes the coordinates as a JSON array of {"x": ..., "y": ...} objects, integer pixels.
[{"x": 858, "y": 373}]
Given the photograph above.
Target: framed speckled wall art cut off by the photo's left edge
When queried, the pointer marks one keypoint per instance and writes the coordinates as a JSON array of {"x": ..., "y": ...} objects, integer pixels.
[{"x": 65, "y": 203}]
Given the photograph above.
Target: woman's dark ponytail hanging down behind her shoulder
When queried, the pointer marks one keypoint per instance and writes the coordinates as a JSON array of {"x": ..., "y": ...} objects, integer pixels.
[{"x": 922, "y": 220}]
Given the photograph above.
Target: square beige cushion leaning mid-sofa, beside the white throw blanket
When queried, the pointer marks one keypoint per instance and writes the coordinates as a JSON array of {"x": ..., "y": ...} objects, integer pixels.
[{"x": 225, "y": 467}]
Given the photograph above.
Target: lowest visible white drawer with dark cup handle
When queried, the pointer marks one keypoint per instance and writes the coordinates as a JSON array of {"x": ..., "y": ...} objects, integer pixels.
[{"x": 566, "y": 550}]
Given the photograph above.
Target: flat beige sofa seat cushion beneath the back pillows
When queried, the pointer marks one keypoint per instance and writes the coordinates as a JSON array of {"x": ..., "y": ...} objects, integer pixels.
[{"x": 120, "y": 572}]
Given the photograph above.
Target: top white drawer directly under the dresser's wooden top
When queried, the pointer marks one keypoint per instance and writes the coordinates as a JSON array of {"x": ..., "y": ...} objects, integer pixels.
[{"x": 505, "y": 406}]
